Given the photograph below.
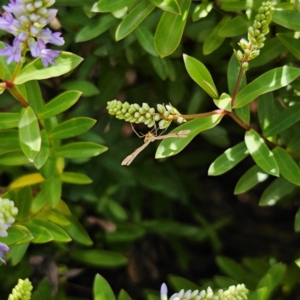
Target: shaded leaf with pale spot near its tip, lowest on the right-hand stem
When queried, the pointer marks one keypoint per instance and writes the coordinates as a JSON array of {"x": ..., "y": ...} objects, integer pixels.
[{"x": 275, "y": 191}]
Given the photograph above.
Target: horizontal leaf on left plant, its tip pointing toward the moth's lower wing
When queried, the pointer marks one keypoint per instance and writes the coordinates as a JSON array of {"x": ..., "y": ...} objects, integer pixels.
[{"x": 80, "y": 150}]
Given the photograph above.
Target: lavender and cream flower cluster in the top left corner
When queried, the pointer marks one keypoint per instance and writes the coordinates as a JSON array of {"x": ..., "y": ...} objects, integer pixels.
[{"x": 26, "y": 19}]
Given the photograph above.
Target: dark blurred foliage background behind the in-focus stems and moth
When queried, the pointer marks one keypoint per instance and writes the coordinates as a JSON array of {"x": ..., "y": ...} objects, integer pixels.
[{"x": 163, "y": 220}]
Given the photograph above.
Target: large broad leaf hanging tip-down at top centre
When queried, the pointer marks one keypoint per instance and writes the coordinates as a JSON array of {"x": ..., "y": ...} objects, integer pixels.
[{"x": 170, "y": 29}]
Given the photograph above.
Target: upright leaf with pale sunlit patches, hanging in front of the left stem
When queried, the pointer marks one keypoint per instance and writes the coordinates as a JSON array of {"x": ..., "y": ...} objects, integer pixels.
[{"x": 29, "y": 133}]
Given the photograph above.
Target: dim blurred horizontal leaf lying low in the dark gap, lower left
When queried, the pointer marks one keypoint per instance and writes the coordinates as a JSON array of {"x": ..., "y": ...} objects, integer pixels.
[{"x": 99, "y": 258}]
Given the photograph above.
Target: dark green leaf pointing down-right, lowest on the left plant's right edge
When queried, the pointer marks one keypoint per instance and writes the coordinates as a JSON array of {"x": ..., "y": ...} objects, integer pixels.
[{"x": 77, "y": 232}]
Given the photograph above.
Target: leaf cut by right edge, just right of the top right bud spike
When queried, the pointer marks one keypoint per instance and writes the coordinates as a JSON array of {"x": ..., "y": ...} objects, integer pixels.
[{"x": 287, "y": 18}]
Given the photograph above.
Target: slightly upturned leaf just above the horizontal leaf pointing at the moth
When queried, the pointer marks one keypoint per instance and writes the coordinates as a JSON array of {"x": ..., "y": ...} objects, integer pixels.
[{"x": 71, "y": 128}]
